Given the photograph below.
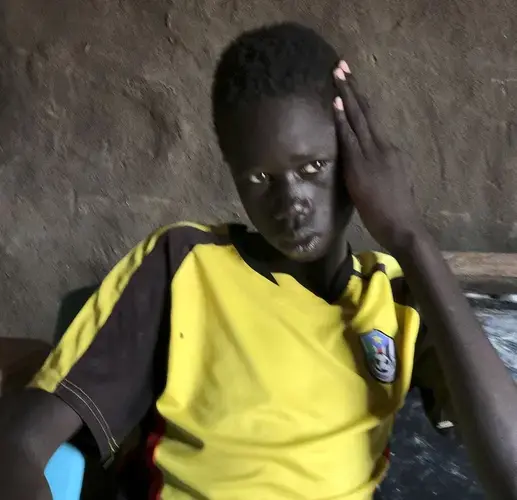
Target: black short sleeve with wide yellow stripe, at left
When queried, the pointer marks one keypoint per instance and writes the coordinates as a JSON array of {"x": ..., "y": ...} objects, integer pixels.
[{"x": 103, "y": 366}]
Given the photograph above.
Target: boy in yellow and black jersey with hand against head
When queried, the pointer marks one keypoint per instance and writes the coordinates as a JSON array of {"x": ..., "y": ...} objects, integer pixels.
[{"x": 271, "y": 364}]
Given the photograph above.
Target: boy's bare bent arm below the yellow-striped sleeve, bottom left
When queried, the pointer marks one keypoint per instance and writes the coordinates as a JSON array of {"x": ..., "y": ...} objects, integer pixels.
[{"x": 33, "y": 424}]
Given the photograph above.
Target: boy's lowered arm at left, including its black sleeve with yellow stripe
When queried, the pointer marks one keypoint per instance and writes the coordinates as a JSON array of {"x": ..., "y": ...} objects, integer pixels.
[{"x": 103, "y": 374}]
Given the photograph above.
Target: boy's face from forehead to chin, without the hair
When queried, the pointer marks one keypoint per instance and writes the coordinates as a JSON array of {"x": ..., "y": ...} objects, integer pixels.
[{"x": 283, "y": 156}]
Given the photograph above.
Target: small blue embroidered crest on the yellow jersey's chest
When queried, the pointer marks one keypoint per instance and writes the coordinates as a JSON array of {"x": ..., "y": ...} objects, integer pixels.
[{"x": 380, "y": 355}]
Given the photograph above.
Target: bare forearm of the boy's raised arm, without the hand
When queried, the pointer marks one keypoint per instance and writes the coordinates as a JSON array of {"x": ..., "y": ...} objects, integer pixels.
[{"x": 482, "y": 391}]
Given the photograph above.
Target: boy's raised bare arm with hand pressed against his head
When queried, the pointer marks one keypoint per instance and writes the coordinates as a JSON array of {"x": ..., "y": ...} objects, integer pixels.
[{"x": 483, "y": 394}]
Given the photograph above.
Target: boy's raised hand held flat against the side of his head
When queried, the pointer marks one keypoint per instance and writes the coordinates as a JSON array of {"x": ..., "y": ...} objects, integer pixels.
[{"x": 372, "y": 170}]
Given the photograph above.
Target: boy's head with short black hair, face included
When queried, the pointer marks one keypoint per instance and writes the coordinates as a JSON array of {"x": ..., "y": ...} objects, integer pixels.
[{"x": 272, "y": 110}]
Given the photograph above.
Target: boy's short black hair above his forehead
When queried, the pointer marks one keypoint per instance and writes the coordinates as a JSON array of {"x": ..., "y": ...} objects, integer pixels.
[{"x": 279, "y": 60}]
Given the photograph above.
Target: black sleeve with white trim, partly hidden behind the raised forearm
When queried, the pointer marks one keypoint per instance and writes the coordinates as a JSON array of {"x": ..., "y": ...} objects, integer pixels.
[{"x": 429, "y": 379}]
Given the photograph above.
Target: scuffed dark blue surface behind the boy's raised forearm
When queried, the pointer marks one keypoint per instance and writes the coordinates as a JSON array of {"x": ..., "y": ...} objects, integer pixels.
[{"x": 426, "y": 465}]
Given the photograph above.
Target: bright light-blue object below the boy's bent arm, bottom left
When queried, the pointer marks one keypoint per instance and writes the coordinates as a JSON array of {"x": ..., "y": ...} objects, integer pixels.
[{"x": 64, "y": 473}]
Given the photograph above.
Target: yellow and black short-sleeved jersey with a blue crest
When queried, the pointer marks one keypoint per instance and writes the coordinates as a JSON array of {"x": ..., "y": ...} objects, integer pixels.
[{"x": 249, "y": 386}]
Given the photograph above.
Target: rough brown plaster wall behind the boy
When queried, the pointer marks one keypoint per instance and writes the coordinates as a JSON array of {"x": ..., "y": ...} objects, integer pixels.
[{"x": 105, "y": 124}]
